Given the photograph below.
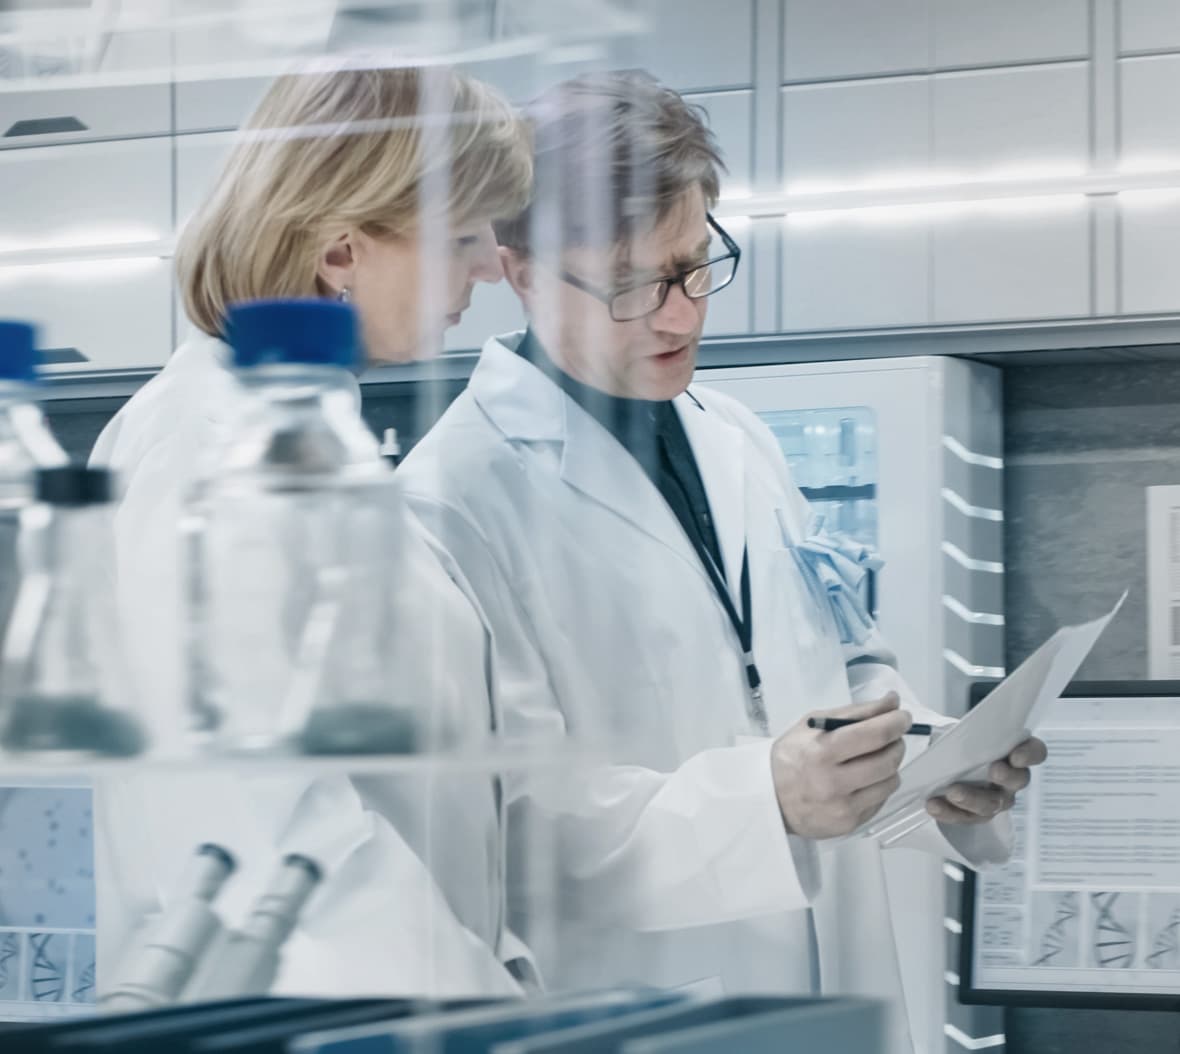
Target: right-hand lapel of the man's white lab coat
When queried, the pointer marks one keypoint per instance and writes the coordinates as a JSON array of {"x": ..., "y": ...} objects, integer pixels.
[{"x": 720, "y": 449}]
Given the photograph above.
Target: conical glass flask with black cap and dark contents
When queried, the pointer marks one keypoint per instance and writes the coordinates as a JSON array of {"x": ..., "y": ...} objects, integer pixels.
[{"x": 64, "y": 686}]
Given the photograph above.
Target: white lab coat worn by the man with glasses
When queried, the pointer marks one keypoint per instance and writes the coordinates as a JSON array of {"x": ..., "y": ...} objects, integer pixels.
[{"x": 674, "y": 865}]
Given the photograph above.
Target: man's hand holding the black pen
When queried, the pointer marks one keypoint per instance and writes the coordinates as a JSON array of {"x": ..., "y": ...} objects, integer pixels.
[{"x": 830, "y": 783}]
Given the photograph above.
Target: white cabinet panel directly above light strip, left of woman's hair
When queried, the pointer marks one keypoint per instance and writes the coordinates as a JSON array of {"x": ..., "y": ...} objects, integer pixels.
[{"x": 87, "y": 194}]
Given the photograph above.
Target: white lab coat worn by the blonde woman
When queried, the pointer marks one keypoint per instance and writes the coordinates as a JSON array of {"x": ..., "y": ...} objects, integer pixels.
[{"x": 382, "y": 924}]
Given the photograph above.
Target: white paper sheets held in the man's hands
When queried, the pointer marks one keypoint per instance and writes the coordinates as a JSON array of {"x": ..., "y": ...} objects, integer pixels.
[{"x": 1009, "y": 715}]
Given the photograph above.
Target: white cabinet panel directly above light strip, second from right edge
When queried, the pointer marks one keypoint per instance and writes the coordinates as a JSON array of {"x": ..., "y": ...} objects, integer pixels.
[{"x": 1026, "y": 117}]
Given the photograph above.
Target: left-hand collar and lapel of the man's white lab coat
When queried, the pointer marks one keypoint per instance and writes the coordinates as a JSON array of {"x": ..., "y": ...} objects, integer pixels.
[{"x": 527, "y": 405}]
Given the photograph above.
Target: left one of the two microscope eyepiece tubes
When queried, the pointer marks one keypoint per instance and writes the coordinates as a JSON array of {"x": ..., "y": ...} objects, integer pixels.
[{"x": 162, "y": 963}]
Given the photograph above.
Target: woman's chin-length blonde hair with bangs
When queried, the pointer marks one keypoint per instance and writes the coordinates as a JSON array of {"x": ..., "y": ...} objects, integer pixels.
[{"x": 375, "y": 150}]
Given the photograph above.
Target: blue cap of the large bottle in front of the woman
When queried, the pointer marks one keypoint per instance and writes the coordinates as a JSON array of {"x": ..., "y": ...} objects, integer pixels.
[{"x": 312, "y": 332}]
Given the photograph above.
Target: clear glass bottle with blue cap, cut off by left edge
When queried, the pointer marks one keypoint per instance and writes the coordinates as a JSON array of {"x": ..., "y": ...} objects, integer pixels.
[{"x": 27, "y": 444}]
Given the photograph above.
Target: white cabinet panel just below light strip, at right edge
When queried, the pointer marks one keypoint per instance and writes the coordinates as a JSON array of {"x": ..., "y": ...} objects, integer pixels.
[{"x": 1150, "y": 244}]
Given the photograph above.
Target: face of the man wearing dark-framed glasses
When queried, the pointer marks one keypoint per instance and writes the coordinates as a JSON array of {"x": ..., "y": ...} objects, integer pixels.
[{"x": 648, "y": 358}]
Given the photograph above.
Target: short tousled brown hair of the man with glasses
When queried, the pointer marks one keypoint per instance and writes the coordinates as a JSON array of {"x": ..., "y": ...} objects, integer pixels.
[{"x": 614, "y": 155}]
